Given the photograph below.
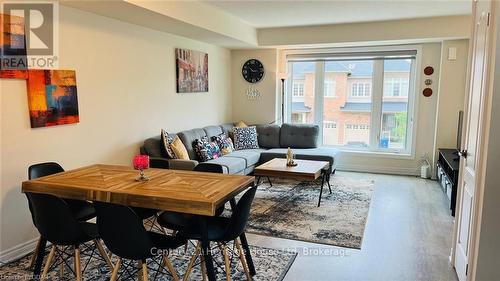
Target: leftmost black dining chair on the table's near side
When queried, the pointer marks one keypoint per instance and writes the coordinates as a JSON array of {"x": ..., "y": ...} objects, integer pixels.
[{"x": 56, "y": 222}]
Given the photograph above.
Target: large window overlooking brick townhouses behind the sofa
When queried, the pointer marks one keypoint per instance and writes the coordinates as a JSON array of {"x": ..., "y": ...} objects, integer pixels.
[{"x": 373, "y": 108}]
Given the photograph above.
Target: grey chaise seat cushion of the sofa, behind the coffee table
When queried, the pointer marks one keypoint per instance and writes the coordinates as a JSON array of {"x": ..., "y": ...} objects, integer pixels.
[{"x": 320, "y": 154}]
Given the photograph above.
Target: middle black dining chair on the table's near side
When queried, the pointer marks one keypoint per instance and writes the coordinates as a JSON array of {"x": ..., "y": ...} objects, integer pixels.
[{"x": 123, "y": 232}]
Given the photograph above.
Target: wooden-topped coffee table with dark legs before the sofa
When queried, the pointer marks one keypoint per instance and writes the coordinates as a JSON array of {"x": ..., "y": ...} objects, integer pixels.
[{"x": 306, "y": 170}]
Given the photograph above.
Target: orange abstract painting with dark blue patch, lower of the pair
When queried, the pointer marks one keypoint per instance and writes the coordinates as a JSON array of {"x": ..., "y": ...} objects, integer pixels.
[{"x": 52, "y": 97}]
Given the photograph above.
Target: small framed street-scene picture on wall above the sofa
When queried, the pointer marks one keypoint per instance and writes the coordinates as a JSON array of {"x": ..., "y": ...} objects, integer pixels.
[{"x": 191, "y": 70}]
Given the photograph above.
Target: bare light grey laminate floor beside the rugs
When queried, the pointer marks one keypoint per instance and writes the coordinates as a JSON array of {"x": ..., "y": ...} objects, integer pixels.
[{"x": 408, "y": 236}]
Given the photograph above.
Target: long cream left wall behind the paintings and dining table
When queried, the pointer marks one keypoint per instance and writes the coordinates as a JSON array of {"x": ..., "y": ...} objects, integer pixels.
[{"x": 126, "y": 93}]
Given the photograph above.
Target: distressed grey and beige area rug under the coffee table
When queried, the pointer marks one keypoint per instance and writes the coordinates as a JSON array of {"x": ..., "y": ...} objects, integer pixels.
[{"x": 289, "y": 210}]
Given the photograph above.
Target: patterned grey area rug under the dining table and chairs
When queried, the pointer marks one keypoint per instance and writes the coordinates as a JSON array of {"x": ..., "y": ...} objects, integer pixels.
[{"x": 270, "y": 264}]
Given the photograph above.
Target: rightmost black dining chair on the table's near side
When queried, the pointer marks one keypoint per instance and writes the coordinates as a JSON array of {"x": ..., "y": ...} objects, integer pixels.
[{"x": 222, "y": 230}]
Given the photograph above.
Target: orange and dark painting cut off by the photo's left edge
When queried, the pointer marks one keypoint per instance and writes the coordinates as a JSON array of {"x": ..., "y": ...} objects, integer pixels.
[{"x": 13, "y": 55}]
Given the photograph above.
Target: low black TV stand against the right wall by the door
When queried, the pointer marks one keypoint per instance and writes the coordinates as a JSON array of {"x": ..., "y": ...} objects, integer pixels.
[{"x": 447, "y": 174}]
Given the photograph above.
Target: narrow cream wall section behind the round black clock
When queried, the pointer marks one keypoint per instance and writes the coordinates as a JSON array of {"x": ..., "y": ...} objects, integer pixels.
[{"x": 263, "y": 110}]
